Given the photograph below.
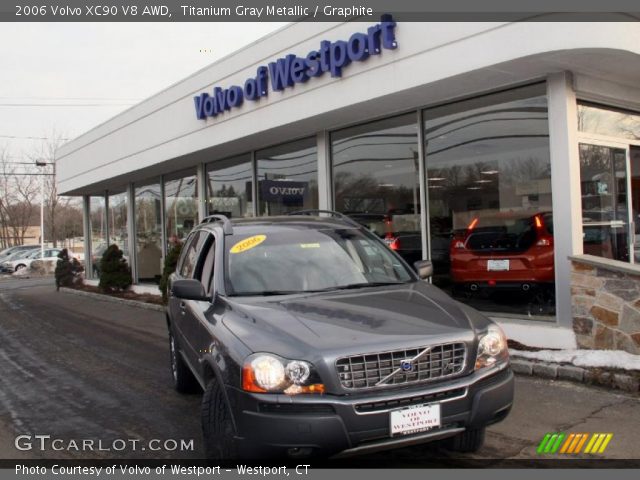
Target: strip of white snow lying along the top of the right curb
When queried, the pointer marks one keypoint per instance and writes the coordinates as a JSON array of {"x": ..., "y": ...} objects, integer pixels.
[{"x": 584, "y": 358}]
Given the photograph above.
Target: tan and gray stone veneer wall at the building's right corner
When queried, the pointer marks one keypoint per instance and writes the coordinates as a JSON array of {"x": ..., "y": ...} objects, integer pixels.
[{"x": 605, "y": 304}]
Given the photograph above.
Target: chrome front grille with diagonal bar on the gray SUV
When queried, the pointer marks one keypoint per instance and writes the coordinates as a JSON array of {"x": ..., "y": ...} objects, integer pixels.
[{"x": 376, "y": 369}]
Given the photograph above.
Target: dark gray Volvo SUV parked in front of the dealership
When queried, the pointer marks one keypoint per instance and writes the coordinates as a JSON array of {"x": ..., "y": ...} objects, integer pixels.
[{"x": 310, "y": 337}]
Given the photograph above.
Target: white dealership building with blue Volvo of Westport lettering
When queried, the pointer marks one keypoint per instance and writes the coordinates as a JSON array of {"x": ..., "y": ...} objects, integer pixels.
[{"x": 506, "y": 153}]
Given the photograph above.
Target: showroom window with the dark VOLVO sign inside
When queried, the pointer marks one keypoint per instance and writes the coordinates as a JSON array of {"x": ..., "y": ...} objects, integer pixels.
[{"x": 288, "y": 177}]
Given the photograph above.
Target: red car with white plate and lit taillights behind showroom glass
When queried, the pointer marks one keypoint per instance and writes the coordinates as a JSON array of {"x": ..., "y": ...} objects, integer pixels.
[{"x": 504, "y": 251}]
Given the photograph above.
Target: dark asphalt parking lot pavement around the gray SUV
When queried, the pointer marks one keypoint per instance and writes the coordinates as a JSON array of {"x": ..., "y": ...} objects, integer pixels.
[{"x": 78, "y": 368}]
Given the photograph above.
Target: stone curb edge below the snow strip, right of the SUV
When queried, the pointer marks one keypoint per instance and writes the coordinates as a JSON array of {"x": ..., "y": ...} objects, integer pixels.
[{"x": 627, "y": 381}]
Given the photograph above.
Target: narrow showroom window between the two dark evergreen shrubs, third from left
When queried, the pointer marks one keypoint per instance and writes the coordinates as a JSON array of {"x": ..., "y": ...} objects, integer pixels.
[{"x": 148, "y": 208}]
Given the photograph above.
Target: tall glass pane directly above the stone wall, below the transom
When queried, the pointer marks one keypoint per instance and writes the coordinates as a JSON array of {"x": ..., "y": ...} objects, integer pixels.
[{"x": 605, "y": 203}]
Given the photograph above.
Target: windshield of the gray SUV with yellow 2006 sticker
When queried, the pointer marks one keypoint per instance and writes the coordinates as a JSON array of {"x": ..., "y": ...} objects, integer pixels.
[{"x": 290, "y": 260}]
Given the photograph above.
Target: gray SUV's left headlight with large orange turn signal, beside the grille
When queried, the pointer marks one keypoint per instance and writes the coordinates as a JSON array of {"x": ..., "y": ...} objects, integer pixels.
[{"x": 268, "y": 373}]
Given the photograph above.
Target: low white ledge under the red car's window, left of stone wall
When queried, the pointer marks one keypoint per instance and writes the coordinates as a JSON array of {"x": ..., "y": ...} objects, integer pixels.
[{"x": 537, "y": 334}]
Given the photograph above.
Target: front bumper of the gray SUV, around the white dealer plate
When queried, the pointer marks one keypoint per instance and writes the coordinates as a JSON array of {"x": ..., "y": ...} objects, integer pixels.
[{"x": 278, "y": 425}]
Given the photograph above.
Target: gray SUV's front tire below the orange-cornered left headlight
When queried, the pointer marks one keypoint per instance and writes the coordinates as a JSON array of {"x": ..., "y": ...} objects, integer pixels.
[{"x": 217, "y": 425}]
